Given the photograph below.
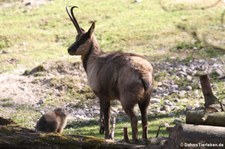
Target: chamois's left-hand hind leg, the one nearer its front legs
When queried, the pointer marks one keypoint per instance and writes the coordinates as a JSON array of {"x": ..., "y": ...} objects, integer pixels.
[{"x": 129, "y": 109}]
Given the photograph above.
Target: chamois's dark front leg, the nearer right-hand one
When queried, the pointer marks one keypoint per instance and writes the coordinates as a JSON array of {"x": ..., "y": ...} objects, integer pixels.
[{"x": 105, "y": 109}]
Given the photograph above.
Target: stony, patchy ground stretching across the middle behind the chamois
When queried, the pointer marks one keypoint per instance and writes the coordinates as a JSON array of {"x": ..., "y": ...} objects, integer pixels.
[{"x": 64, "y": 84}]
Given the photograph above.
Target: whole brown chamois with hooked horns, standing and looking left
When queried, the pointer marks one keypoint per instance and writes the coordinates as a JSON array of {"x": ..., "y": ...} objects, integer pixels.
[{"x": 123, "y": 76}]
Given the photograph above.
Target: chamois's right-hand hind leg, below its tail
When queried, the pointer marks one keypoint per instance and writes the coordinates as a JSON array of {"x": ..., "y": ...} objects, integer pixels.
[{"x": 143, "y": 106}]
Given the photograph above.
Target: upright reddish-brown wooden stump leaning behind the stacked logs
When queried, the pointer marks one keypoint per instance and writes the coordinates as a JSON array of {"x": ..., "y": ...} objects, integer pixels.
[{"x": 207, "y": 91}]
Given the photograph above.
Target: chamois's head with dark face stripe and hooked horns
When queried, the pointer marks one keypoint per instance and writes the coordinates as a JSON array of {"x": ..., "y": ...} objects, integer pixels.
[{"x": 83, "y": 38}]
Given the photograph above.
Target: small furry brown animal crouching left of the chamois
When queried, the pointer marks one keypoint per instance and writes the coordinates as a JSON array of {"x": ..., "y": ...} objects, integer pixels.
[{"x": 52, "y": 121}]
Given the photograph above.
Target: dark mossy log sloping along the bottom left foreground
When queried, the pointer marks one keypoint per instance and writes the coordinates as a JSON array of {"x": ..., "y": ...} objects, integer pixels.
[{"x": 12, "y": 136}]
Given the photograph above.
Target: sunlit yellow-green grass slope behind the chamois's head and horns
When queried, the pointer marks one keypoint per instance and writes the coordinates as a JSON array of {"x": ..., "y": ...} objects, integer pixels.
[{"x": 32, "y": 36}]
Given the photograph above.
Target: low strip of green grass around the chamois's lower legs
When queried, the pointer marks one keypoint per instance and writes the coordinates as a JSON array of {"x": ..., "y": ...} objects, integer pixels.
[{"x": 91, "y": 128}]
